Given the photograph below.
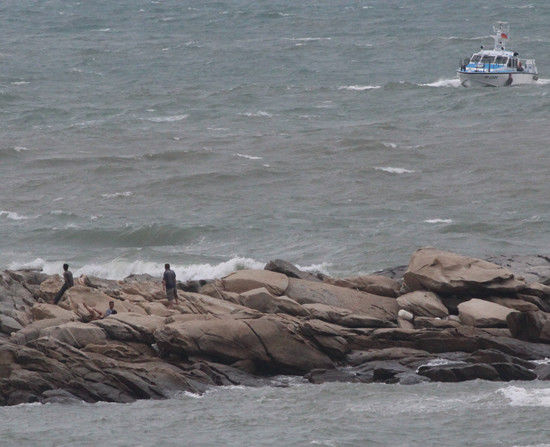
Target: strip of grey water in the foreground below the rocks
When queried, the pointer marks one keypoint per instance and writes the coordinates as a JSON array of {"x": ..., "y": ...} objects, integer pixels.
[{"x": 475, "y": 414}]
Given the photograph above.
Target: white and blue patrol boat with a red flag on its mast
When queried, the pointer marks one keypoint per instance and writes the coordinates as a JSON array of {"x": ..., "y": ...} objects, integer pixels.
[{"x": 498, "y": 67}]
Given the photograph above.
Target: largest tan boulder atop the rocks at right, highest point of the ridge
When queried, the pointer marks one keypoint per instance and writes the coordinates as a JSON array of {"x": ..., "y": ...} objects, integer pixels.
[{"x": 450, "y": 273}]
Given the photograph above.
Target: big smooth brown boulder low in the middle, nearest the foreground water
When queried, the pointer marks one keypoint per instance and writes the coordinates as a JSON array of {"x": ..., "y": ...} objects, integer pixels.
[{"x": 266, "y": 341}]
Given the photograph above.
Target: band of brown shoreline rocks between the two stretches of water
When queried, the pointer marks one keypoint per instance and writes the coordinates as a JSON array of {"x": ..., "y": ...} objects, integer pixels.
[{"x": 450, "y": 318}]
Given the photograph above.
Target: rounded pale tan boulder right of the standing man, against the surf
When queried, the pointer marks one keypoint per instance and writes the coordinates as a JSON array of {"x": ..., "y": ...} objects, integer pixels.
[{"x": 245, "y": 280}]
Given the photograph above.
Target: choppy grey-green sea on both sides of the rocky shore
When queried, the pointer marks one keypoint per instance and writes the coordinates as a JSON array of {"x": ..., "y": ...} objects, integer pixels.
[{"x": 219, "y": 135}]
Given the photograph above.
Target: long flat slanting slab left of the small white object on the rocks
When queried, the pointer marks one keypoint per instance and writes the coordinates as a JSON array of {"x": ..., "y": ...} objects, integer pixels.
[{"x": 379, "y": 307}]
